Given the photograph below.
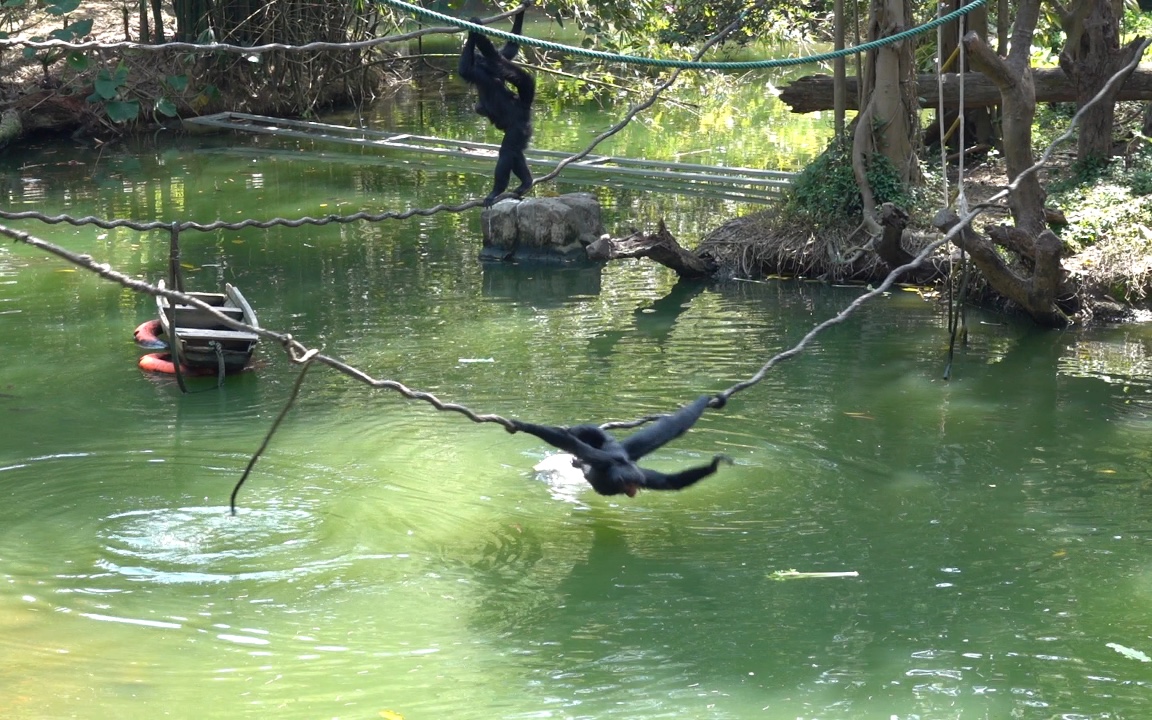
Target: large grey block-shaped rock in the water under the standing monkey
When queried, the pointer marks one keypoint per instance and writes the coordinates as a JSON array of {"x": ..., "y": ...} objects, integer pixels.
[{"x": 542, "y": 229}]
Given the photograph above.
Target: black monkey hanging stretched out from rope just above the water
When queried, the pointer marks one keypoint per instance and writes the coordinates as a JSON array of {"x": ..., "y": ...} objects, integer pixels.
[{"x": 610, "y": 465}]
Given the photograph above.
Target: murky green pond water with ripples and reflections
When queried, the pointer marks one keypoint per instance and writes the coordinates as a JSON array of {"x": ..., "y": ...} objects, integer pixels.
[{"x": 393, "y": 562}]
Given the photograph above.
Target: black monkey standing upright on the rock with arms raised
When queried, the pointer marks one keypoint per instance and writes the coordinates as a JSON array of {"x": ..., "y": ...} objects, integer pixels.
[{"x": 509, "y": 111}]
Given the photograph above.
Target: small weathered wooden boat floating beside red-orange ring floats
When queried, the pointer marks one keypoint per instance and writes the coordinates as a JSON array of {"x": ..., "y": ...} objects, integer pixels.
[{"x": 200, "y": 339}]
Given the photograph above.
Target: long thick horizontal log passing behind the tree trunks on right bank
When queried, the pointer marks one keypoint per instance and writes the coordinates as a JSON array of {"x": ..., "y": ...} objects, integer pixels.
[{"x": 814, "y": 93}]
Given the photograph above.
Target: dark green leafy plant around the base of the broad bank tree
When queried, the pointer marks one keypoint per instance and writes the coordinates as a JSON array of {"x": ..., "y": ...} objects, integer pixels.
[{"x": 827, "y": 195}]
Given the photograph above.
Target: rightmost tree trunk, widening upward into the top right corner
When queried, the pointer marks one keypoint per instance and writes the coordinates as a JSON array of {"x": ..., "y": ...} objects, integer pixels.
[{"x": 1092, "y": 56}]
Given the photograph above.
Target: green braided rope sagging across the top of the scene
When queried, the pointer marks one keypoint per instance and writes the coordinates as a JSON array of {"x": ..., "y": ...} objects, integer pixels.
[{"x": 752, "y": 65}]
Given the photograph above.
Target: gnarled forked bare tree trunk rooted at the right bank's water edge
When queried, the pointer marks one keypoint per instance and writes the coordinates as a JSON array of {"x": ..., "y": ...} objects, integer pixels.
[{"x": 1036, "y": 279}]
